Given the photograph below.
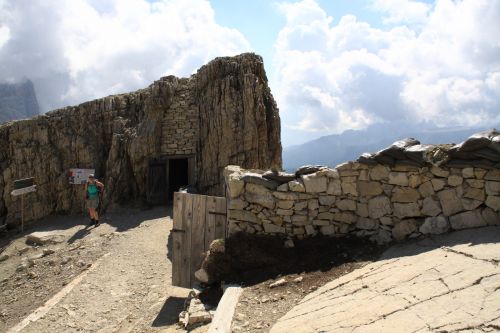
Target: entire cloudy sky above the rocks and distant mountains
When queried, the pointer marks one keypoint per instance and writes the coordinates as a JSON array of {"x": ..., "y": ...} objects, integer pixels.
[{"x": 332, "y": 65}]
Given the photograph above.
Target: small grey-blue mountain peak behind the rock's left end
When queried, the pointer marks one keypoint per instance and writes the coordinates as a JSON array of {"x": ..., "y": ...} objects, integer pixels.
[{"x": 17, "y": 101}]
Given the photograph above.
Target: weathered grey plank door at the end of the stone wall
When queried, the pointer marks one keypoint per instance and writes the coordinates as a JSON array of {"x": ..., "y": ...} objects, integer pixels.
[{"x": 198, "y": 220}]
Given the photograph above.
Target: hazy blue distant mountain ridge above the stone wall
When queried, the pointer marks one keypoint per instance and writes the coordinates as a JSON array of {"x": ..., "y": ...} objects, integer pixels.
[{"x": 335, "y": 149}]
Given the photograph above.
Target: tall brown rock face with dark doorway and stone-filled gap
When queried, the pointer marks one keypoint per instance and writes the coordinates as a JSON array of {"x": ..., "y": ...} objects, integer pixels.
[{"x": 224, "y": 114}]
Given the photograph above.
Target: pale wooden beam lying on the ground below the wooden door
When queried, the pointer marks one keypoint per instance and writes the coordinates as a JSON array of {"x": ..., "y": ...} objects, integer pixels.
[{"x": 223, "y": 317}]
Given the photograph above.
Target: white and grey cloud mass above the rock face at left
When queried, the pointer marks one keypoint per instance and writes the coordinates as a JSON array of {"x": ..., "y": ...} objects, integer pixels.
[{"x": 76, "y": 50}]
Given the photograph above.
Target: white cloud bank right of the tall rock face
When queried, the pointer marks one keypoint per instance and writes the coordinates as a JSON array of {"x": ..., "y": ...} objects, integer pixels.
[{"x": 333, "y": 76}]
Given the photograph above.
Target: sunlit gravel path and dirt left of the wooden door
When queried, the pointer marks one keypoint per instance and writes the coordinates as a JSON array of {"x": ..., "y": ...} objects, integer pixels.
[{"x": 118, "y": 275}]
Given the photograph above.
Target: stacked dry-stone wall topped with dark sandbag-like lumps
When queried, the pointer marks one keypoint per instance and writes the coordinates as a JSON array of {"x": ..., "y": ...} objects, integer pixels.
[{"x": 401, "y": 199}]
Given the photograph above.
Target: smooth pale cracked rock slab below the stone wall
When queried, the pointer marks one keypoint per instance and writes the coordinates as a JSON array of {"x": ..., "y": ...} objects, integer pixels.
[{"x": 448, "y": 284}]
